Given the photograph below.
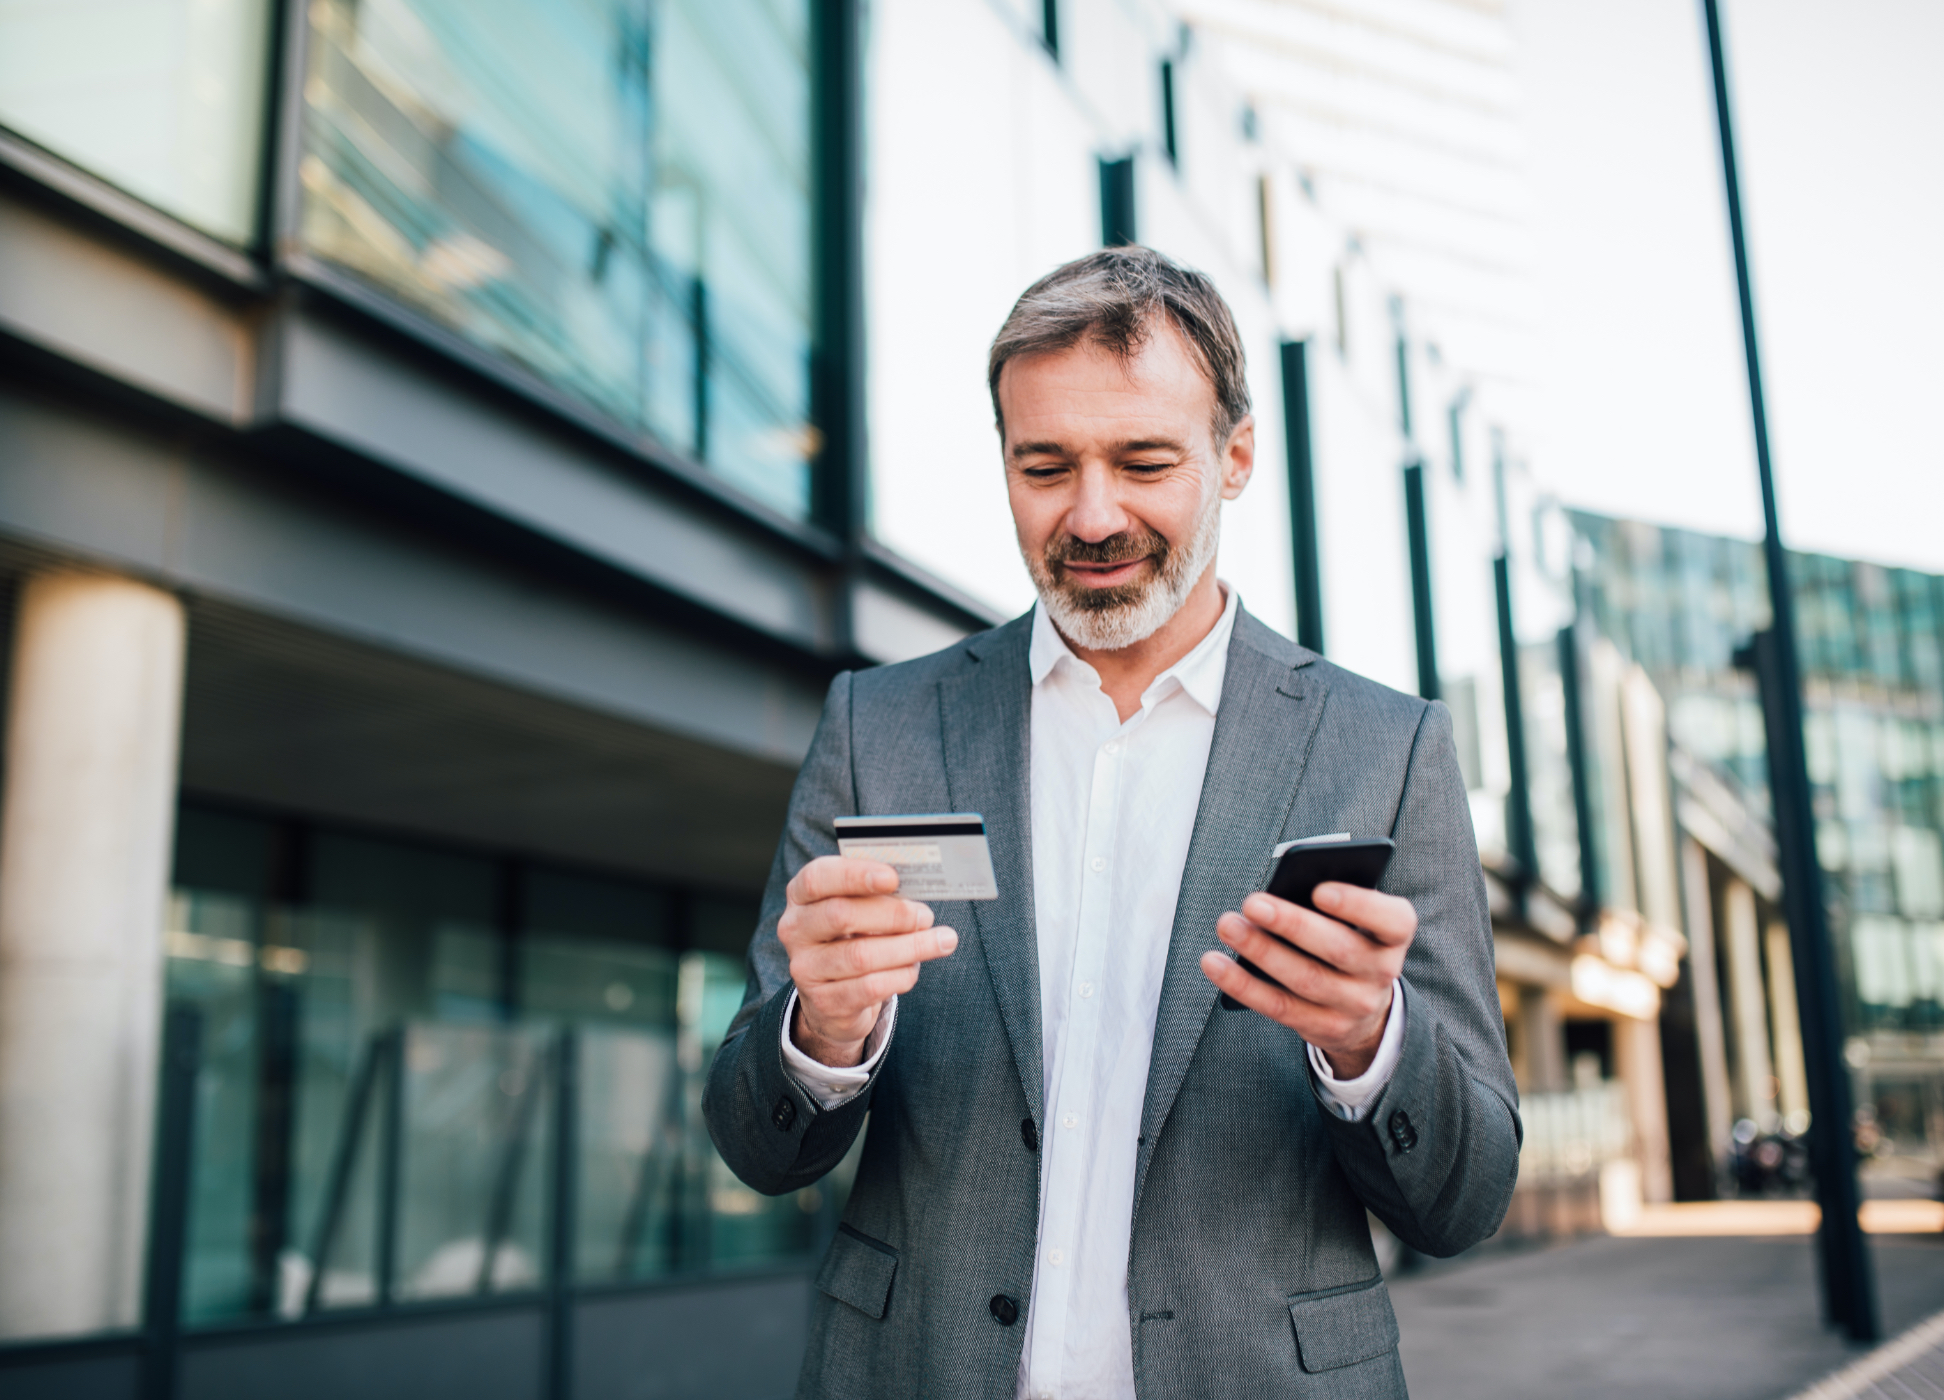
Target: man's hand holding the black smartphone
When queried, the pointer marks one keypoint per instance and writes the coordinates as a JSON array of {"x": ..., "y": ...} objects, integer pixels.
[{"x": 1338, "y": 969}]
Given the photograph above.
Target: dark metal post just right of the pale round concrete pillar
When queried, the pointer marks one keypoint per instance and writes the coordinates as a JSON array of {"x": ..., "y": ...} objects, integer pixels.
[{"x": 168, "y": 1205}]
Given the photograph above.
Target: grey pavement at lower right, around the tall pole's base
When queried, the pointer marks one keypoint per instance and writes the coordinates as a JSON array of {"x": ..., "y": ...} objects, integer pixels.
[{"x": 1688, "y": 1319}]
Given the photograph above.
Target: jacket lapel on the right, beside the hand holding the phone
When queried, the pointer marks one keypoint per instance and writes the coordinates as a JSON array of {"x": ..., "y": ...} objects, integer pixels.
[{"x": 1263, "y": 742}]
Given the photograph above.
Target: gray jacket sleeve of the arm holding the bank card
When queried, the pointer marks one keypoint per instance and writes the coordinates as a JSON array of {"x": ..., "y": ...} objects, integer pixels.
[{"x": 765, "y": 1125}]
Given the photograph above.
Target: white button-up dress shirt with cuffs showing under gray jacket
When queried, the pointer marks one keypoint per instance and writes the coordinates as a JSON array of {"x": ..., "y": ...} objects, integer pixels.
[{"x": 1113, "y": 814}]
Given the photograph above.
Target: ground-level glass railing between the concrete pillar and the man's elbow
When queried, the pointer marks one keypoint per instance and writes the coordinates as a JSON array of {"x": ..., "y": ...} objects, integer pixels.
[{"x": 479, "y": 1162}]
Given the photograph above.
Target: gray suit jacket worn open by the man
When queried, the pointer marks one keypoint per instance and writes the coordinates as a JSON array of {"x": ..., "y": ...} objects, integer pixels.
[{"x": 1251, "y": 1271}]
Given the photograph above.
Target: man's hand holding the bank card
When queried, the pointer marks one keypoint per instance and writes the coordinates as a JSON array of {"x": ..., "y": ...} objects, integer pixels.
[{"x": 852, "y": 948}]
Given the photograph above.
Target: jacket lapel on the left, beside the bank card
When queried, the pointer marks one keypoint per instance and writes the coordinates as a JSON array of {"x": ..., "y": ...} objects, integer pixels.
[{"x": 987, "y": 722}]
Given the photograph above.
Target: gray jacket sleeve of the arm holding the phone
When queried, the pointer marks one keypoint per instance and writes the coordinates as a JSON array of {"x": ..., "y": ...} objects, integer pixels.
[{"x": 1438, "y": 1156}]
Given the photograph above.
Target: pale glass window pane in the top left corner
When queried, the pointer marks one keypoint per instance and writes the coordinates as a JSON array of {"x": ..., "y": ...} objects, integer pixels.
[{"x": 162, "y": 98}]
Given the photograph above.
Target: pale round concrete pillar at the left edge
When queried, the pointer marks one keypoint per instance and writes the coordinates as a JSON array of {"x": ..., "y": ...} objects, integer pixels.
[{"x": 87, "y": 827}]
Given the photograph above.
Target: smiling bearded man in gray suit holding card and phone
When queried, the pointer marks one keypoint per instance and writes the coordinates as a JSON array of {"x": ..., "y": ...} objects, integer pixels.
[{"x": 1084, "y": 1179}]
